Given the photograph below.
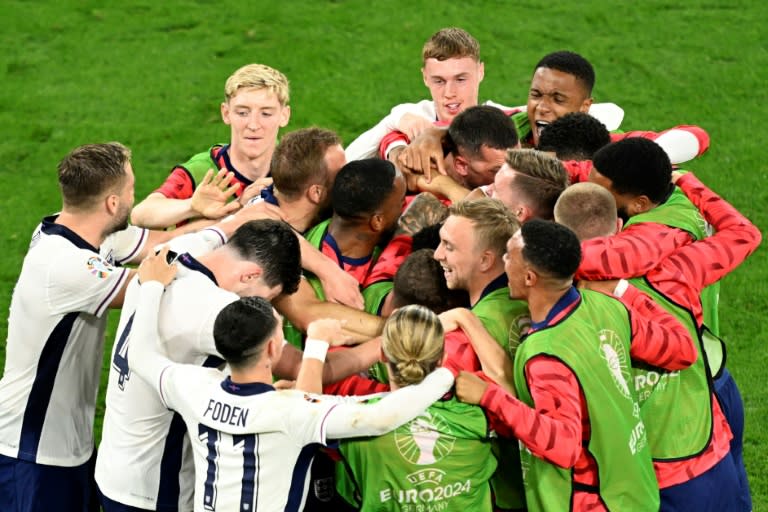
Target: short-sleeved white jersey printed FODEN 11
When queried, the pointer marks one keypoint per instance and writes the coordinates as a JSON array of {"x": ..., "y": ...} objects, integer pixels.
[{"x": 252, "y": 445}]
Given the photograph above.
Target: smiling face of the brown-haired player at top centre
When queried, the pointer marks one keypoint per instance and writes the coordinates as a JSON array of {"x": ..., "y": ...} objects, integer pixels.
[{"x": 454, "y": 84}]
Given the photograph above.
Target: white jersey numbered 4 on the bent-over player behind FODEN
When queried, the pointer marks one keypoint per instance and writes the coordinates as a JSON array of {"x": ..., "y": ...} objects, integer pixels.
[{"x": 142, "y": 447}]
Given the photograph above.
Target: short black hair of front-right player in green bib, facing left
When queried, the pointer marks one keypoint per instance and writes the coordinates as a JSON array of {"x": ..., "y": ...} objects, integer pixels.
[{"x": 551, "y": 248}]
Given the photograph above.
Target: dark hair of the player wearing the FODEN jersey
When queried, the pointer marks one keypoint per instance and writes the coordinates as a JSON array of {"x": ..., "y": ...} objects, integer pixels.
[{"x": 242, "y": 328}]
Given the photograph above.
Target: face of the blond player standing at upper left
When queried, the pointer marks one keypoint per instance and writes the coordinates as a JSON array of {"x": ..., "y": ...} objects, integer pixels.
[{"x": 255, "y": 116}]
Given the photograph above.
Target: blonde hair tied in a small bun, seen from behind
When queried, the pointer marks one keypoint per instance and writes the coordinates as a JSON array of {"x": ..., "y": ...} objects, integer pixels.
[{"x": 413, "y": 342}]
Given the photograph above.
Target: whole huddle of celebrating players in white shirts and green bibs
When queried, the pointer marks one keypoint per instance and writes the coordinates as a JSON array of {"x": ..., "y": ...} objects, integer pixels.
[{"x": 471, "y": 307}]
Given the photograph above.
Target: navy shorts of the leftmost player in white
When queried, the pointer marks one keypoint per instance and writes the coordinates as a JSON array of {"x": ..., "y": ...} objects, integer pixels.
[{"x": 31, "y": 487}]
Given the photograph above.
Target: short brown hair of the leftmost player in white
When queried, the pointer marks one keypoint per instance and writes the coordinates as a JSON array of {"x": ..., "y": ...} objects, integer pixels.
[{"x": 88, "y": 172}]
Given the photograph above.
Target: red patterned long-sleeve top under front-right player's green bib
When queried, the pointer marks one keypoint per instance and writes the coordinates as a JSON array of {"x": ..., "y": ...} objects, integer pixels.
[{"x": 558, "y": 428}]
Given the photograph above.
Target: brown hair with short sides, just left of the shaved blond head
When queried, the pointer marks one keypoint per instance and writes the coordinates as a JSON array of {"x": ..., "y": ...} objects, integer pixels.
[{"x": 540, "y": 179}]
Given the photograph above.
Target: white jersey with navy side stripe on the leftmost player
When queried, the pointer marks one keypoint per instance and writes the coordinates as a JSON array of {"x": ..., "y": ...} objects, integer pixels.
[{"x": 56, "y": 340}]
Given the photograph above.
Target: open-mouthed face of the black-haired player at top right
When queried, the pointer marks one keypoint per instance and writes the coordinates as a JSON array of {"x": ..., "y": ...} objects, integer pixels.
[{"x": 553, "y": 94}]
